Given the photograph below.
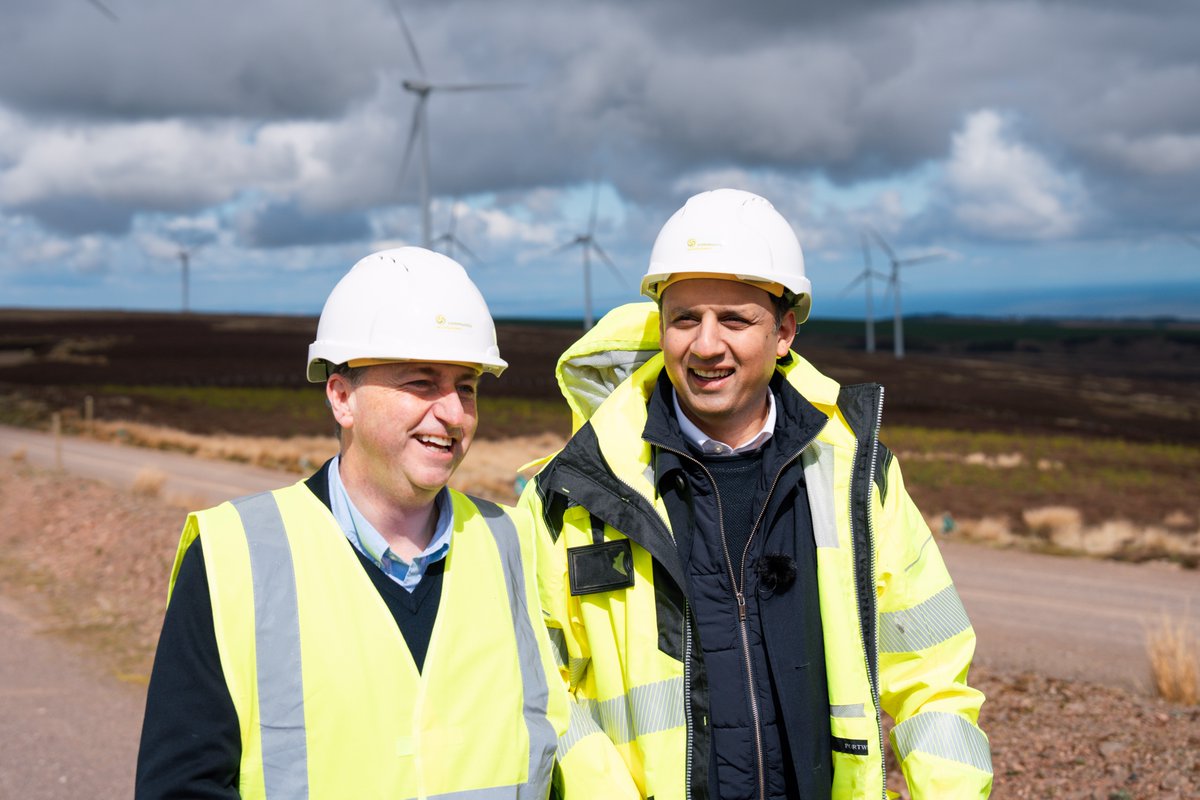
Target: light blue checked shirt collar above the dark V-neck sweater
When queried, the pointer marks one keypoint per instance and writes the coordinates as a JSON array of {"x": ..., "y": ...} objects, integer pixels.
[{"x": 371, "y": 543}]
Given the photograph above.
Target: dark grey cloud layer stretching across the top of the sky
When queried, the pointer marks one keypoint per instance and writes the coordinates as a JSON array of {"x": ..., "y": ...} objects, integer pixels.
[{"x": 643, "y": 94}]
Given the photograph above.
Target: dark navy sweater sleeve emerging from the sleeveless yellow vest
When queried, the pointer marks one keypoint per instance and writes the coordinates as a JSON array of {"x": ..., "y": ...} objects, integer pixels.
[{"x": 191, "y": 741}]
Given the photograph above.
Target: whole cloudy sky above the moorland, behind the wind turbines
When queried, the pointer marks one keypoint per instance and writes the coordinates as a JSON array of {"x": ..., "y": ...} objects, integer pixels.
[{"x": 1047, "y": 153}]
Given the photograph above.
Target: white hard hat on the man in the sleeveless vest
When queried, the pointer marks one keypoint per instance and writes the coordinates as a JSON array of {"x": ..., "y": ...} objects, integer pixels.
[{"x": 405, "y": 305}]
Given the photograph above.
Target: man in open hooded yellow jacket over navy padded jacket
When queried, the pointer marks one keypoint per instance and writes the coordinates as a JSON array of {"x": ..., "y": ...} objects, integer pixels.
[{"x": 735, "y": 579}]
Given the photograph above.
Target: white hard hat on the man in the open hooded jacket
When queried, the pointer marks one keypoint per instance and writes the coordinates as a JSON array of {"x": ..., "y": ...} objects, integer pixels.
[{"x": 731, "y": 234}]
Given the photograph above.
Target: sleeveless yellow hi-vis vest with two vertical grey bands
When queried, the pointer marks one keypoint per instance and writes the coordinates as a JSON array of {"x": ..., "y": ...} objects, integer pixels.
[{"x": 329, "y": 700}]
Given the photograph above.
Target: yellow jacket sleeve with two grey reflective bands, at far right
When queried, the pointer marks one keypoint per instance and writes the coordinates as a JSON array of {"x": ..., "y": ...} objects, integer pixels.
[{"x": 926, "y": 649}]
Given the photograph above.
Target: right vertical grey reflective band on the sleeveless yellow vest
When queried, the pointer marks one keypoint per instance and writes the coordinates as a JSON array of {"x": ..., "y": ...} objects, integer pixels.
[{"x": 543, "y": 738}]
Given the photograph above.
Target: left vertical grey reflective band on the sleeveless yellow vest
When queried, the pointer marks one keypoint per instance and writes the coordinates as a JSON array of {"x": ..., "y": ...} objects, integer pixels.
[{"x": 278, "y": 648}]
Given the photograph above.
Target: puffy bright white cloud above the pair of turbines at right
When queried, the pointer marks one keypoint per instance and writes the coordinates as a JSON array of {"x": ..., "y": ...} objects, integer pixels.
[{"x": 1001, "y": 188}]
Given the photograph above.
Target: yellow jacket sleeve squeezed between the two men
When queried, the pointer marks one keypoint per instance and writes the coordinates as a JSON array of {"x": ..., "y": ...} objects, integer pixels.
[{"x": 587, "y": 763}]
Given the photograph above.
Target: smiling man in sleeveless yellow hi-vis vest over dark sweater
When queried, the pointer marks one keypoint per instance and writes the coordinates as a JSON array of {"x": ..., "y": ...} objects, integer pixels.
[{"x": 367, "y": 633}]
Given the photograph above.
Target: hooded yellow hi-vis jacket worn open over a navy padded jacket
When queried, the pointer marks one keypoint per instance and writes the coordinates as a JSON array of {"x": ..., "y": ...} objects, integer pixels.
[{"x": 897, "y": 639}]
